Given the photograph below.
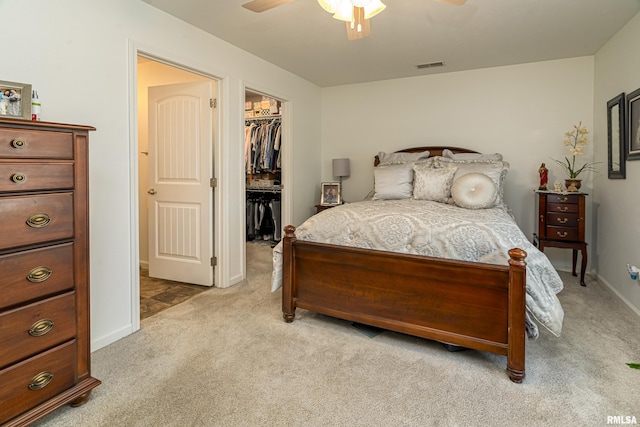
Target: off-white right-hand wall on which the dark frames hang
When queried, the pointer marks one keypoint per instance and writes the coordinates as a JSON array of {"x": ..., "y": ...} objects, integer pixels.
[{"x": 616, "y": 202}]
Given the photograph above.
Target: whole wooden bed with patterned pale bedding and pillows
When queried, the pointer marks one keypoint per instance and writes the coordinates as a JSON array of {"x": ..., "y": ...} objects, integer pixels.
[{"x": 490, "y": 301}]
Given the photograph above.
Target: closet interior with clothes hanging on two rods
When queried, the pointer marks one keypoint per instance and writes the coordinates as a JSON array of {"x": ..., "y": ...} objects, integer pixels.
[{"x": 262, "y": 150}]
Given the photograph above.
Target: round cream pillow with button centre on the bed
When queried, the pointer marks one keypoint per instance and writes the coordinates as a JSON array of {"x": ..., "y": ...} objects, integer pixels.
[{"x": 474, "y": 191}]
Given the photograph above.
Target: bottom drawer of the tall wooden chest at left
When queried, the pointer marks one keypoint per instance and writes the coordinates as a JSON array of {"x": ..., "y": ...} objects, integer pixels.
[{"x": 34, "y": 381}]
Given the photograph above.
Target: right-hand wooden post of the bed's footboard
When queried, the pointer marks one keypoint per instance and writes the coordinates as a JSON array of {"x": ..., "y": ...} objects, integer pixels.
[{"x": 516, "y": 321}]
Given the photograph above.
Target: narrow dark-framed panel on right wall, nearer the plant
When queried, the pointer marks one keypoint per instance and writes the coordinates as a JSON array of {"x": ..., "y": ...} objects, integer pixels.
[{"x": 616, "y": 136}]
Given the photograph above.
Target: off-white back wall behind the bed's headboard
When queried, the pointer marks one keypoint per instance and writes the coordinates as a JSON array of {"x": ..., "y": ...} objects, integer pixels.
[{"x": 521, "y": 111}]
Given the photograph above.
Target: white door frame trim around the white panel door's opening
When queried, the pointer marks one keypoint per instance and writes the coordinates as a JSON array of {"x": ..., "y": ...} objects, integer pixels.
[{"x": 135, "y": 50}]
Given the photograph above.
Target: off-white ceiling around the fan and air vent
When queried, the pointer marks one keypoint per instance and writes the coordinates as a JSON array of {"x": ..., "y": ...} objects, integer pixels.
[{"x": 304, "y": 39}]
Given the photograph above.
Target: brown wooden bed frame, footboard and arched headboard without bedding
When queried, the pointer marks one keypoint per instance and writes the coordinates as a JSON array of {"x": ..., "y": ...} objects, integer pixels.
[{"x": 472, "y": 305}]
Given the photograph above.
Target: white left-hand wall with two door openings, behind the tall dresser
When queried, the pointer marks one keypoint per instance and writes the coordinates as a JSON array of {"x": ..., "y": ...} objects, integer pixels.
[{"x": 77, "y": 54}]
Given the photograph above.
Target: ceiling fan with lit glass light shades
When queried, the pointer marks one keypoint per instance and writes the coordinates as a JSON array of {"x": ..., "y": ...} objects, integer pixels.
[{"x": 355, "y": 13}]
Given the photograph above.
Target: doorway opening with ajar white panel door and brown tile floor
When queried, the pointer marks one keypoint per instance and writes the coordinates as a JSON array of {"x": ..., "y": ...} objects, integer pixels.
[{"x": 175, "y": 197}]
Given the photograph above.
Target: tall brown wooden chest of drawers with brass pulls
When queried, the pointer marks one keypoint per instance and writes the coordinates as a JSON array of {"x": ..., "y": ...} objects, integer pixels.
[{"x": 44, "y": 269}]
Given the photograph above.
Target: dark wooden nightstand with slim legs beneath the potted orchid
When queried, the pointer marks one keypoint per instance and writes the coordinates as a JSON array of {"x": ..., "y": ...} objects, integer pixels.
[{"x": 561, "y": 218}]
